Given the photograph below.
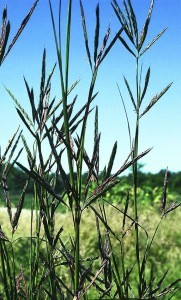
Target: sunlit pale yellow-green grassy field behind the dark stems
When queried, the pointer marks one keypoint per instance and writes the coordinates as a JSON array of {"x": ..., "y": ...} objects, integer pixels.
[{"x": 165, "y": 253}]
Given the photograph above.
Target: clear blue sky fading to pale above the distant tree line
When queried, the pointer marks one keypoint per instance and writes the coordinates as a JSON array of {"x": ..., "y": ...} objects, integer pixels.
[{"x": 160, "y": 128}]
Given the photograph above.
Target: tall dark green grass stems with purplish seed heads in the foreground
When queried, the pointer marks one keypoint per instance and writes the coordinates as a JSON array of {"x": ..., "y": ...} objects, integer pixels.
[{"x": 57, "y": 268}]
